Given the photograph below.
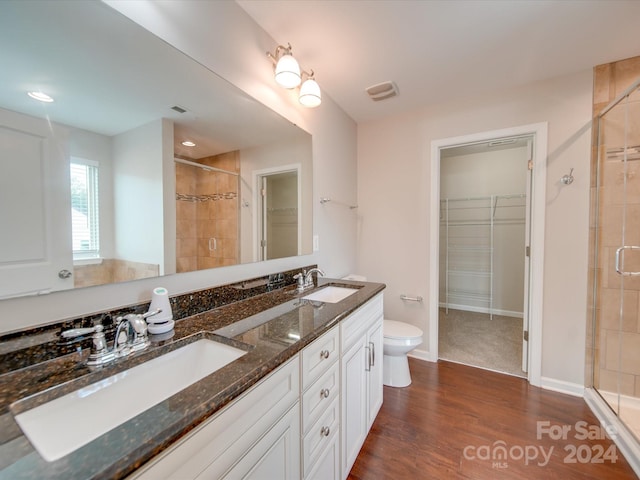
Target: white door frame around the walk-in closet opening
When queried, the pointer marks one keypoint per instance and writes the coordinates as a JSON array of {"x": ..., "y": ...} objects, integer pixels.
[{"x": 538, "y": 203}]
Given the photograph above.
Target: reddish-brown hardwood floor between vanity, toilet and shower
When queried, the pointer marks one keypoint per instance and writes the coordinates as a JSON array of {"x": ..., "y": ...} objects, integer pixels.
[{"x": 450, "y": 421}]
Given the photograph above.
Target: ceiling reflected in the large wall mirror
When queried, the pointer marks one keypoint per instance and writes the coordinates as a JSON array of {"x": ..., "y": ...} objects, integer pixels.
[{"x": 110, "y": 84}]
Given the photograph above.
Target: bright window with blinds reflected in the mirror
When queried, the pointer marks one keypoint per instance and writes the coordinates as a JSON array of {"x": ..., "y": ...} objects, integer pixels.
[{"x": 84, "y": 209}]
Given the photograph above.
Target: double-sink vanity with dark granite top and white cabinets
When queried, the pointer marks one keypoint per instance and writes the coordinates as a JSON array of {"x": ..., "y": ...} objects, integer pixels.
[{"x": 297, "y": 403}]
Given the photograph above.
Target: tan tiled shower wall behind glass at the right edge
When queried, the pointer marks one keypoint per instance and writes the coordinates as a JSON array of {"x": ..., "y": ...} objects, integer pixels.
[{"x": 613, "y": 356}]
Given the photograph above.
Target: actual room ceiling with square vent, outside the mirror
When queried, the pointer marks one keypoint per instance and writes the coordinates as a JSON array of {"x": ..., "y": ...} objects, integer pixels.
[{"x": 435, "y": 50}]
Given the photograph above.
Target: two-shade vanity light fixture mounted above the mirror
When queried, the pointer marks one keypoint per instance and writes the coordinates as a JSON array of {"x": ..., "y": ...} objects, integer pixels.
[{"x": 288, "y": 74}]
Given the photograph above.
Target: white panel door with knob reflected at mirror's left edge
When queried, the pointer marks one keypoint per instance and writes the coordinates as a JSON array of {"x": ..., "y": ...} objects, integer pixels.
[{"x": 35, "y": 206}]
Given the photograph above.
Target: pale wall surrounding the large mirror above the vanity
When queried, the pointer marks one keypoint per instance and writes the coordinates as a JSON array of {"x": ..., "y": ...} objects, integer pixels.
[{"x": 221, "y": 36}]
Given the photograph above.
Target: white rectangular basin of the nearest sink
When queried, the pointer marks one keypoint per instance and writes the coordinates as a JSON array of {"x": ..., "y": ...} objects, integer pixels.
[{"x": 59, "y": 427}]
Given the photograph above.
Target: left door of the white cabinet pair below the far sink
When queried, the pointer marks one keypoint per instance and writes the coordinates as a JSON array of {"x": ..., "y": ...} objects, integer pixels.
[{"x": 354, "y": 398}]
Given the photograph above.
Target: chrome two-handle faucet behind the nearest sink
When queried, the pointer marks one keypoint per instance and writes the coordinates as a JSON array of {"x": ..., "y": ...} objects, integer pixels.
[{"x": 136, "y": 338}]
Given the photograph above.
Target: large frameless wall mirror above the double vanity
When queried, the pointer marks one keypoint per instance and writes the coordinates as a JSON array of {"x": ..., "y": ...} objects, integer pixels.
[{"x": 144, "y": 164}]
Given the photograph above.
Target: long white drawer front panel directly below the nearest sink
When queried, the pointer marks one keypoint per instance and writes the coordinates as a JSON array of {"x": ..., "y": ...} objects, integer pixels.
[{"x": 218, "y": 443}]
